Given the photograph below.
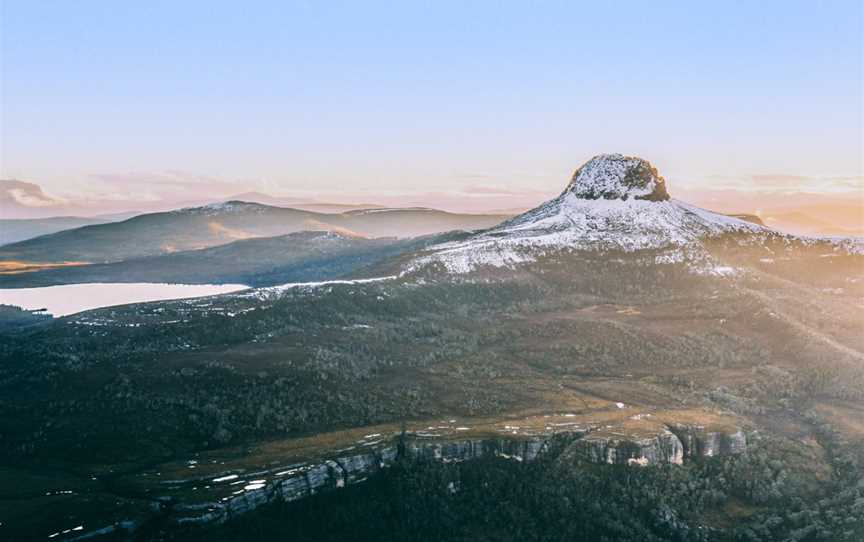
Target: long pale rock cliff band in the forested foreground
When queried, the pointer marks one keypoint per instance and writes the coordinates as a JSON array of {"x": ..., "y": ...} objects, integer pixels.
[{"x": 671, "y": 447}]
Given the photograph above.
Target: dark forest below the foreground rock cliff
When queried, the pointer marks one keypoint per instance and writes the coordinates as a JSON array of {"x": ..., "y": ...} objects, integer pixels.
[{"x": 775, "y": 492}]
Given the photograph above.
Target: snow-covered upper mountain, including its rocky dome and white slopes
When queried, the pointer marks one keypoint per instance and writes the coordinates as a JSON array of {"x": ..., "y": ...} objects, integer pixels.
[{"x": 613, "y": 203}]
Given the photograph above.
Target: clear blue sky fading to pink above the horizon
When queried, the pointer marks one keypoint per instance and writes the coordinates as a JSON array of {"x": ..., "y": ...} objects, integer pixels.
[{"x": 445, "y": 103}]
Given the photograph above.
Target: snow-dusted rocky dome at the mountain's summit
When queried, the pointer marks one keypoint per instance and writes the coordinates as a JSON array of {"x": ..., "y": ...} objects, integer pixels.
[{"x": 615, "y": 176}]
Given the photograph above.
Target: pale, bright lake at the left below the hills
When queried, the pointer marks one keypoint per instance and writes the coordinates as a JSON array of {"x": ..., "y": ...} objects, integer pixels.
[{"x": 71, "y": 298}]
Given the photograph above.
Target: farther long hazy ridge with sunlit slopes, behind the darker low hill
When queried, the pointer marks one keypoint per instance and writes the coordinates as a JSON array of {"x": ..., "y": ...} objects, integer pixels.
[{"x": 201, "y": 227}]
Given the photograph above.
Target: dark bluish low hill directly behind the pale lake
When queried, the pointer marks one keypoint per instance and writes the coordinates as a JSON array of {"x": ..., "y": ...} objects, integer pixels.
[{"x": 264, "y": 261}]
